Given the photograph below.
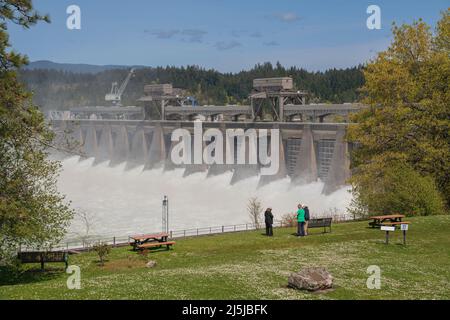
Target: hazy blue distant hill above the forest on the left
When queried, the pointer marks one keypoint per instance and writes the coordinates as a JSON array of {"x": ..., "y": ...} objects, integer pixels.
[{"x": 73, "y": 67}]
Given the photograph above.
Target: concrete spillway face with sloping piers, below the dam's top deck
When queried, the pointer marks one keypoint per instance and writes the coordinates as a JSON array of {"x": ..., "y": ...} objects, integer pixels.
[{"x": 307, "y": 152}]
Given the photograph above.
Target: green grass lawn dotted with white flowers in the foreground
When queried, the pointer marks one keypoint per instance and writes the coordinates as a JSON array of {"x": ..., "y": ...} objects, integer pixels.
[{"x": 249, "y": 265}]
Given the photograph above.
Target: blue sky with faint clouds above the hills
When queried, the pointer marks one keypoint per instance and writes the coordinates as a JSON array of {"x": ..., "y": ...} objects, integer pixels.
[{"x": 228, "y": 35}]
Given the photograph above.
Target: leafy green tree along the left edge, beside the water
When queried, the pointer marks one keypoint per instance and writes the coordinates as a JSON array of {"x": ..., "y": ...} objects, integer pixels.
[{"x": 32, "y": 212}]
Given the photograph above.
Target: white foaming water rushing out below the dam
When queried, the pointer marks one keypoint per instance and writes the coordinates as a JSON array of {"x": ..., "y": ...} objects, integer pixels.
[{"x": 119, "y": 202}]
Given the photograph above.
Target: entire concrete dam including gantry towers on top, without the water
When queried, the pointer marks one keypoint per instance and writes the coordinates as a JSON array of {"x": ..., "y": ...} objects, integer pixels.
[{"x": 311, "y": 144}]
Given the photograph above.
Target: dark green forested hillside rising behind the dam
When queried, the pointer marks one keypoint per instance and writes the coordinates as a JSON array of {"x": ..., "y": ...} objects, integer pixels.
[{"x": 61, "y": 90}]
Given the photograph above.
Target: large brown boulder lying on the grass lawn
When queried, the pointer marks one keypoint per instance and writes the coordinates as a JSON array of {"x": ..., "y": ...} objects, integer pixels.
[{"x": 311, "y": 279}]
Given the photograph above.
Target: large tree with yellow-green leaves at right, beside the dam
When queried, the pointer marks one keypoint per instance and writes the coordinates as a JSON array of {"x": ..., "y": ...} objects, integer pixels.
[{"x": 407, "y": 123}]
